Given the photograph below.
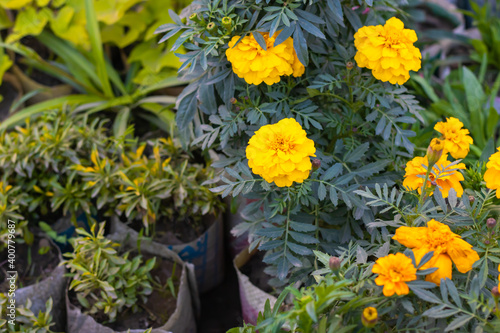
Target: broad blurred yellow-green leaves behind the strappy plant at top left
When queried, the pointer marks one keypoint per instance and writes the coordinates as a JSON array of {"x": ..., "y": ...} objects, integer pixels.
[{"x": 121, "y": 22}]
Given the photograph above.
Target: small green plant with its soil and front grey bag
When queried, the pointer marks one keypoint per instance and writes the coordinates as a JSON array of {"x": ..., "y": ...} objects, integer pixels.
[{"x": 112, "y": 290}]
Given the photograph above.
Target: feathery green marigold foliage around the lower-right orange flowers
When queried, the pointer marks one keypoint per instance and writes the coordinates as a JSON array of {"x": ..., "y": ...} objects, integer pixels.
[{"x": 336, "y": 301}]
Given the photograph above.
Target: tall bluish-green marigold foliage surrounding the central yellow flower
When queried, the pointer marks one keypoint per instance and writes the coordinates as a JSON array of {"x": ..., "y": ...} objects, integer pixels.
[{"x": 361, "y": 127}]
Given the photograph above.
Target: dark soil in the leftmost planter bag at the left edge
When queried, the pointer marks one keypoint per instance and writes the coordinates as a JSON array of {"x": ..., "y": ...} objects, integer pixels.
[{"x": 31, "y": 266}]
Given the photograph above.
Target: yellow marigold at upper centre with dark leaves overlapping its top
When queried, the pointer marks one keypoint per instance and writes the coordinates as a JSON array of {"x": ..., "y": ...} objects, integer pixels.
[{"x": 256, "y": 65}]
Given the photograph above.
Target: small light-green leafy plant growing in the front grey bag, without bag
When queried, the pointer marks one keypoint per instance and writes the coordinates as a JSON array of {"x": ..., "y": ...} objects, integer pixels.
[{"x": 104, "y": 281}]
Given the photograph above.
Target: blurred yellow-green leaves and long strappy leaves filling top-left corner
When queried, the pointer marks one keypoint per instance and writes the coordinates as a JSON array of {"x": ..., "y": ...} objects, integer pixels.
[{"x": 100, "y": 55}]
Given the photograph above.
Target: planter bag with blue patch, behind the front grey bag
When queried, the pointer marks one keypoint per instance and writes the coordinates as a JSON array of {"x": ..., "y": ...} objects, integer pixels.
[{"x": 206, "y": 252}]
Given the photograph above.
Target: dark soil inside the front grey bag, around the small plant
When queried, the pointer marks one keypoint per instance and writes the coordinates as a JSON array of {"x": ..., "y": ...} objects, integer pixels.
[{"x": 158, "y": 308}]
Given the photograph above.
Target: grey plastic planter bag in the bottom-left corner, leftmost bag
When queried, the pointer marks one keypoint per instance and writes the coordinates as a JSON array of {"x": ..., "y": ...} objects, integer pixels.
[{"x": 52, "y": 286}]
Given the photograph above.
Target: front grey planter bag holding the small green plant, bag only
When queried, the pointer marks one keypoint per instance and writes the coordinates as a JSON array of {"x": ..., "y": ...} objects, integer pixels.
[{"x": 183, "y": 320}]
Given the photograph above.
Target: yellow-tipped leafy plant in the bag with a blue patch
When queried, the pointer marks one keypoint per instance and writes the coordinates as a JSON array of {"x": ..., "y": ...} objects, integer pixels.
[{"x": 153, "y": 186}]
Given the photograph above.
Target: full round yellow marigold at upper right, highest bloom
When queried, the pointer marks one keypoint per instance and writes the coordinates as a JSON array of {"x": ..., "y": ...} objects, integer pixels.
[{"x": 388, "y": 51}]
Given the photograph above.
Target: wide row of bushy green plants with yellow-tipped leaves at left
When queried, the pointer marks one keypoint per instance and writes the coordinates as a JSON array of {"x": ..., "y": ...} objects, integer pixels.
[{"x": 48, "y": 162}]
